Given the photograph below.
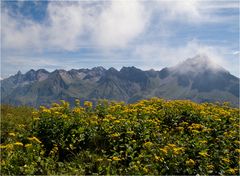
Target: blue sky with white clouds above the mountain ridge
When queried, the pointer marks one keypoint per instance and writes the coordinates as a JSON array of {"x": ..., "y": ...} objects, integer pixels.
[{"x": 145, "y": 34}]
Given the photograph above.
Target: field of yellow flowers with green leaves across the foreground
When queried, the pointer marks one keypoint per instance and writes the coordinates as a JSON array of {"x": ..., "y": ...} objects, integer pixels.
[{"x": 149, "y": 137}]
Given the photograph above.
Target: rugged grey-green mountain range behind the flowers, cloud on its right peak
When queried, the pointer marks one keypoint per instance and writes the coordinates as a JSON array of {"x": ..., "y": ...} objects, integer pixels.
[{"x": 197, "y": 79}]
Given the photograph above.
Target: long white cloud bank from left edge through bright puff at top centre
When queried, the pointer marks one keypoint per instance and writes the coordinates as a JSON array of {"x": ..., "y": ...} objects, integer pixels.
[{"x": 70, "y": 25}]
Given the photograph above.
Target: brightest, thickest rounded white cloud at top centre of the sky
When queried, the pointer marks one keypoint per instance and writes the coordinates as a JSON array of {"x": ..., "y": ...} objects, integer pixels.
[{"x": 120, "y": 23}]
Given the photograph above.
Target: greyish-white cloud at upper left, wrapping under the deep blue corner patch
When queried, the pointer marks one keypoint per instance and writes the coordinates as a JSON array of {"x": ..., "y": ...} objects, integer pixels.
[{"x": 61, "y": 29}]
